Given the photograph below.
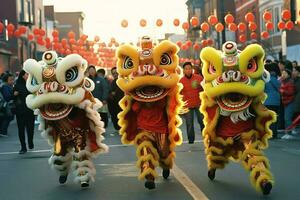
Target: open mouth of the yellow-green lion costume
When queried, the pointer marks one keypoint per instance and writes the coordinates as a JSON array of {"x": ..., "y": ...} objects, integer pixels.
[{"x": 234, "y": 102}]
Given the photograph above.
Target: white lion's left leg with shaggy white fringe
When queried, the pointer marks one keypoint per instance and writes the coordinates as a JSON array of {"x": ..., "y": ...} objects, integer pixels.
[{"x": 61, "y": 160}]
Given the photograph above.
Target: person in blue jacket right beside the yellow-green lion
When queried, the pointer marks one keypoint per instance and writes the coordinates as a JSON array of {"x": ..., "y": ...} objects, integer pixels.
[{"x": 273, "y": 95}]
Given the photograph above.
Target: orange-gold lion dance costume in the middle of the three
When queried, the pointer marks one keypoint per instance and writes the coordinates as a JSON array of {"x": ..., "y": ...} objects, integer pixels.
[{"x": 149, "y": 117}]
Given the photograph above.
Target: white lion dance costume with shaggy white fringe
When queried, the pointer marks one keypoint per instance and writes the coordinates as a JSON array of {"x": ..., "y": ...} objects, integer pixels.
[{"x": 67, "y": 113}]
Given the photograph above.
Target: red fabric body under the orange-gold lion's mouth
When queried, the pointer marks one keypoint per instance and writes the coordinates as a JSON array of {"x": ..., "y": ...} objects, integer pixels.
[{"x": 151, "y": 116}]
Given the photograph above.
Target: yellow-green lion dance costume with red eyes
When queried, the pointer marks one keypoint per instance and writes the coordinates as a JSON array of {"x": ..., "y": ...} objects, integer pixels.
[{"x": 236, "y": 121}]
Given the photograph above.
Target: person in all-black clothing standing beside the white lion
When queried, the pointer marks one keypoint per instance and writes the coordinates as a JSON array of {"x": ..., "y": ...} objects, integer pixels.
[{"x": 25, "y": 116}]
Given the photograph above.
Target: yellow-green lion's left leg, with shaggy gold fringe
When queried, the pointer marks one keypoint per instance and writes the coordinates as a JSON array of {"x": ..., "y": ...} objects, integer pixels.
[{"x": 217, "y": 154}]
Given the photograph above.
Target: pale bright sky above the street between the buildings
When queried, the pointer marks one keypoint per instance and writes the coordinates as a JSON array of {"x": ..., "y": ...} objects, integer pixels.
[{"x": 103, "y": 17}]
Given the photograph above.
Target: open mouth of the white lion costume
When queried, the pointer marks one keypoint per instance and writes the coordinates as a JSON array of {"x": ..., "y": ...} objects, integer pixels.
[{"x": 55, "y": 111}]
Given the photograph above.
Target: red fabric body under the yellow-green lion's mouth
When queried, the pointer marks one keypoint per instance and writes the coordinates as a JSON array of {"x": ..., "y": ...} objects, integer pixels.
[{"x": 226, "y": 128}]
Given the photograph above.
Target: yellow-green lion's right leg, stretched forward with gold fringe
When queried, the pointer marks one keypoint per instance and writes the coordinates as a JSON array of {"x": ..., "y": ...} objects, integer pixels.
[{"x": 254, "y": 160}]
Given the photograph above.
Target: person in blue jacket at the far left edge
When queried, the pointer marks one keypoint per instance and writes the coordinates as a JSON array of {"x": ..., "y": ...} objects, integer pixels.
[{"x": 7, "y": 94}]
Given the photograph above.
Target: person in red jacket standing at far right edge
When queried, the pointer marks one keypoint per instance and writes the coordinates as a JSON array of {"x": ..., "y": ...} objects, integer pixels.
[{"x": 287, "y": 90}]
